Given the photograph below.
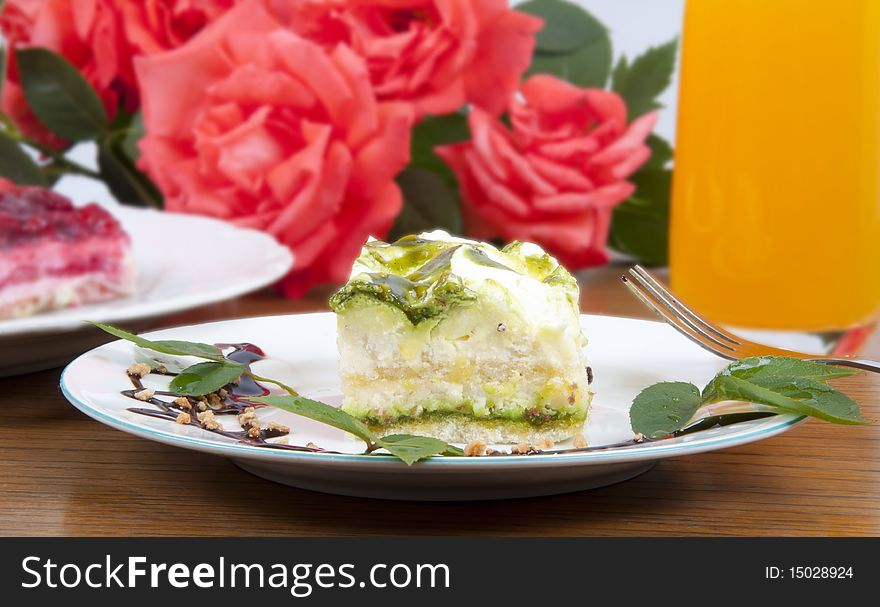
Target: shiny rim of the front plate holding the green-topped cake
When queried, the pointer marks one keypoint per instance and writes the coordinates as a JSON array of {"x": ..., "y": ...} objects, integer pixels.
[{"x": 647, "y": 451}]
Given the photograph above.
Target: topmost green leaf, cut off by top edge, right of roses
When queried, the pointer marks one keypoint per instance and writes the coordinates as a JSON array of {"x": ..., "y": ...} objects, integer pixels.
[{"x": 567, "y": 27}]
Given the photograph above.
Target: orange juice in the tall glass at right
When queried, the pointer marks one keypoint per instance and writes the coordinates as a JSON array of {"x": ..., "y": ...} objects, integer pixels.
[{"x": 776, "y": 195}]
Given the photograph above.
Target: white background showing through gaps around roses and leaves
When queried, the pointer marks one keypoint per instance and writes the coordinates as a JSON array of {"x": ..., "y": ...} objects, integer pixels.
[{"x": 635, "y": 25}]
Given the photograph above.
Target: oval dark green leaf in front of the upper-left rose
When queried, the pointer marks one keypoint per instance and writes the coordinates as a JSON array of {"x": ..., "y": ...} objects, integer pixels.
[{"x": 59, "y": 96}]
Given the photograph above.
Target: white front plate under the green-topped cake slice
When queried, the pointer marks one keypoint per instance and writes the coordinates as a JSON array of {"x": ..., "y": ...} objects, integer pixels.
[{"x": 626, "y": 355}]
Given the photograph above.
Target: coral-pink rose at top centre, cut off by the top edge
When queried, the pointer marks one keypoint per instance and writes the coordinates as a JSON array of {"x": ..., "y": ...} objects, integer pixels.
[{"x": 436, "y": 54}]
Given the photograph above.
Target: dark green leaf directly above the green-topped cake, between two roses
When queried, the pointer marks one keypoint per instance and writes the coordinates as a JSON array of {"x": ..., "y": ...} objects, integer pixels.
[{"x": 429, "y": 203}]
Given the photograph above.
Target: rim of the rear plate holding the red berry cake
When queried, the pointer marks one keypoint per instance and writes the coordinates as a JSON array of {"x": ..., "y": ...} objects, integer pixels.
[{"x": 280, "y": 261}]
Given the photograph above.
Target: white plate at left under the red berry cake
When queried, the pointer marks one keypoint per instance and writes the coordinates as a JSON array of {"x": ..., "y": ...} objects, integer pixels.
[{"x": 183, "y": 261}]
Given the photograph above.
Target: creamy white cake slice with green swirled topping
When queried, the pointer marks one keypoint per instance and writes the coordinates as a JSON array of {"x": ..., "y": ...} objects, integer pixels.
[{"x": 458, "y": 340}]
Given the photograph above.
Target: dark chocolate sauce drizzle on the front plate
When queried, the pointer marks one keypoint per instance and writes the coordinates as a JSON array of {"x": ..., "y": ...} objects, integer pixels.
[{"x": 237, "y": 400}]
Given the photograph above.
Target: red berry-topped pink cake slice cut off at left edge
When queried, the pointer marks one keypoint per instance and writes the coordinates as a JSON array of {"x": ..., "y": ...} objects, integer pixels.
[{"x": 54, "y": 255}]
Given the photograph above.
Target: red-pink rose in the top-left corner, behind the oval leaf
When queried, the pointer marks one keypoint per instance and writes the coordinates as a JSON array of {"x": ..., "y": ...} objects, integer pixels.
[{"x": 100, "y": 38}]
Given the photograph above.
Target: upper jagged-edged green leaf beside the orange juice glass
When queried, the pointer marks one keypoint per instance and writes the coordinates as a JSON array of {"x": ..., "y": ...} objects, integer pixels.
[{"x": 641, "y": 82}]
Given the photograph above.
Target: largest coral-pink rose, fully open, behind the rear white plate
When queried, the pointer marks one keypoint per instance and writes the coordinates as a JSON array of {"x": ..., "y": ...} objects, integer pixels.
[{"x": 251, "y": 123}]
